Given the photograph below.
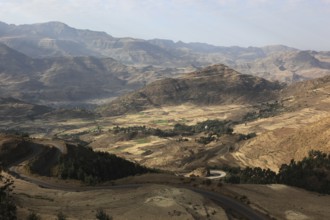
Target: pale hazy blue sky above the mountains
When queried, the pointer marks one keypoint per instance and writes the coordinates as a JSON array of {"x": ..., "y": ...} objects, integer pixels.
[{"x": 304, "y": 24}]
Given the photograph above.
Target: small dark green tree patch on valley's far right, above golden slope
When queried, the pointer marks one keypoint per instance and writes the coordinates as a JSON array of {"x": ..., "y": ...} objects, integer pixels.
[{"x": 266, "y": 110}]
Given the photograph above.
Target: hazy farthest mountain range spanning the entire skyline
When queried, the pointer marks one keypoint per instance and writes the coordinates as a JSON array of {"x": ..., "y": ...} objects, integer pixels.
[{"x": 54, "y": 39}]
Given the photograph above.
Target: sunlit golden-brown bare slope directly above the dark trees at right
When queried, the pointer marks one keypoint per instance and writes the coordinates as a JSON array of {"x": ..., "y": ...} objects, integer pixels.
[{"x": 273, "y": 148}]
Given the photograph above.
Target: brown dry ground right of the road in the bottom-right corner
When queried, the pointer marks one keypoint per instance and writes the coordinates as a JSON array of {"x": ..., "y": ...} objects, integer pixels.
[{"x": 284, "y": 202}]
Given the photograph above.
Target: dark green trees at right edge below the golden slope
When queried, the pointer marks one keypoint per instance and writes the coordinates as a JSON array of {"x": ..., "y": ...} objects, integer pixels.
[{"x": 311, "y": 173}]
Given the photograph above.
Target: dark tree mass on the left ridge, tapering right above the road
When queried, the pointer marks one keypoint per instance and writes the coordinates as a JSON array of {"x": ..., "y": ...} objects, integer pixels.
[{"x": 93, "y": 167}]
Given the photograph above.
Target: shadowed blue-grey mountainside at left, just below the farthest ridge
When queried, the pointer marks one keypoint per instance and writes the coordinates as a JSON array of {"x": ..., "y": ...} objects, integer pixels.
[{"x": 69, "y": 79}]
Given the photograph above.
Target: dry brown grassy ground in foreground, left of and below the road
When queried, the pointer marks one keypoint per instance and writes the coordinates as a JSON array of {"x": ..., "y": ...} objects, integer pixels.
[{"x": 147, "y": 202}]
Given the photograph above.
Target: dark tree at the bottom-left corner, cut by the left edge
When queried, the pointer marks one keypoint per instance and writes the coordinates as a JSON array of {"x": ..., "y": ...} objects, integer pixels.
[{"x": 7, "y": 205}]
